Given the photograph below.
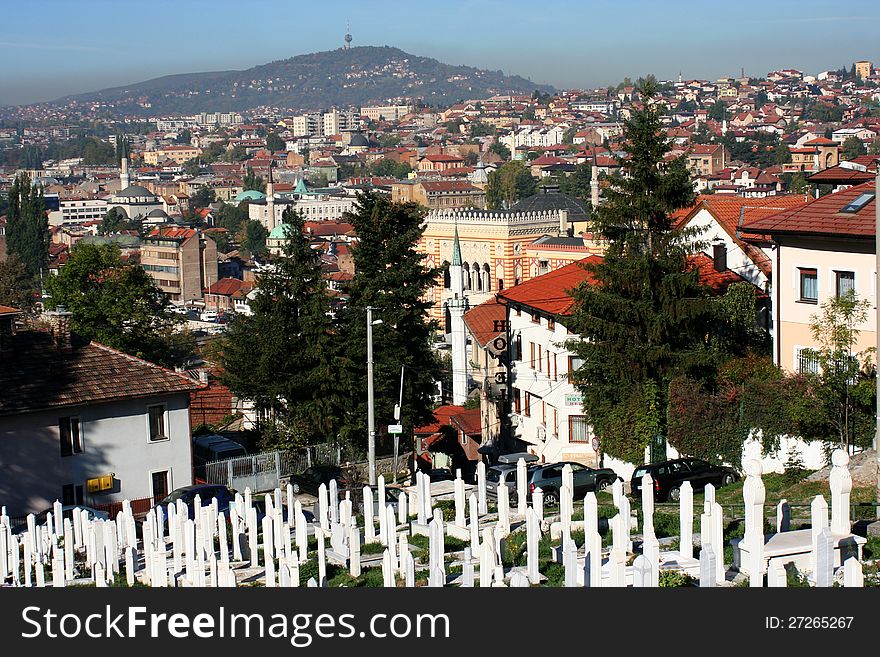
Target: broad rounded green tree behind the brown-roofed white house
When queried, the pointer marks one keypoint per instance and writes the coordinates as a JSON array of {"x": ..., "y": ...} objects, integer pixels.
[{"x": 117, "y": 303}]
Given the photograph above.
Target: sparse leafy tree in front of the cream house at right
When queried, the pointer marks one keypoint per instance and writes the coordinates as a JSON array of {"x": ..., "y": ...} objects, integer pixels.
[{"x": 845, "y": 378}]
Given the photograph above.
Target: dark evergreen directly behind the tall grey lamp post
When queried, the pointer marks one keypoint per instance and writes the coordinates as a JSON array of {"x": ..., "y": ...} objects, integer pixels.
[{"x": 390, "y": 275}]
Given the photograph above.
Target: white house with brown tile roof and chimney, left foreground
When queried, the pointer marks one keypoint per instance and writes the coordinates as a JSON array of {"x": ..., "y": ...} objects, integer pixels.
[{"x": 99, "y": 414}]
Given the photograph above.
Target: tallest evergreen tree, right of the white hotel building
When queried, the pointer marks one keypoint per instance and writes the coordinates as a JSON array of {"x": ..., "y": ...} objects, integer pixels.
[{"x": 644, "y": 315}]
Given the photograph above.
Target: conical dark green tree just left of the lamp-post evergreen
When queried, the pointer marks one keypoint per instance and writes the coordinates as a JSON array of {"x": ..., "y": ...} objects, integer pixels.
[{"x": 282, "y": 356}]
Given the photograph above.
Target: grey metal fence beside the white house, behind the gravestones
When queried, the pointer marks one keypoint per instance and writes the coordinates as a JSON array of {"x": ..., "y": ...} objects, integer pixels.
[{"x": 264, "y": 471}]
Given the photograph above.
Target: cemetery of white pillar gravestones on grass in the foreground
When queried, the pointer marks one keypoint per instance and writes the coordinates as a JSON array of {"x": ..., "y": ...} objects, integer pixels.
[{"x": 455, "y": 534}]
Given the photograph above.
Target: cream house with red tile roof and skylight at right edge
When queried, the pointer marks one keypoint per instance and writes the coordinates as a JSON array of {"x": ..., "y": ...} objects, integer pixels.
[{"x": 819, "y": 250}]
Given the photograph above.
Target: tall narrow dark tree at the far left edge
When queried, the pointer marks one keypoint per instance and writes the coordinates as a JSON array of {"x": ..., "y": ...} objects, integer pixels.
[{"x": 27, "y": 226}]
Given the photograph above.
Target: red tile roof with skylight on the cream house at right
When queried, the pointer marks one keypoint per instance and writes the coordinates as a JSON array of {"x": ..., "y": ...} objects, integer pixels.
[{"x": 823, "y": 216}]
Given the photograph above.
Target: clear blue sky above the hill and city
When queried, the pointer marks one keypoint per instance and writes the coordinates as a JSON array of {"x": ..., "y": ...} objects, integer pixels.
[{"x": 51, "y": 48}]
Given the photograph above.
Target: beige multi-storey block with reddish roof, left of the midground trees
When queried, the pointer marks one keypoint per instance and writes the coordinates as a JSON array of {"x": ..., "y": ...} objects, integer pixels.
[{"x": 182, "y": 261}]
